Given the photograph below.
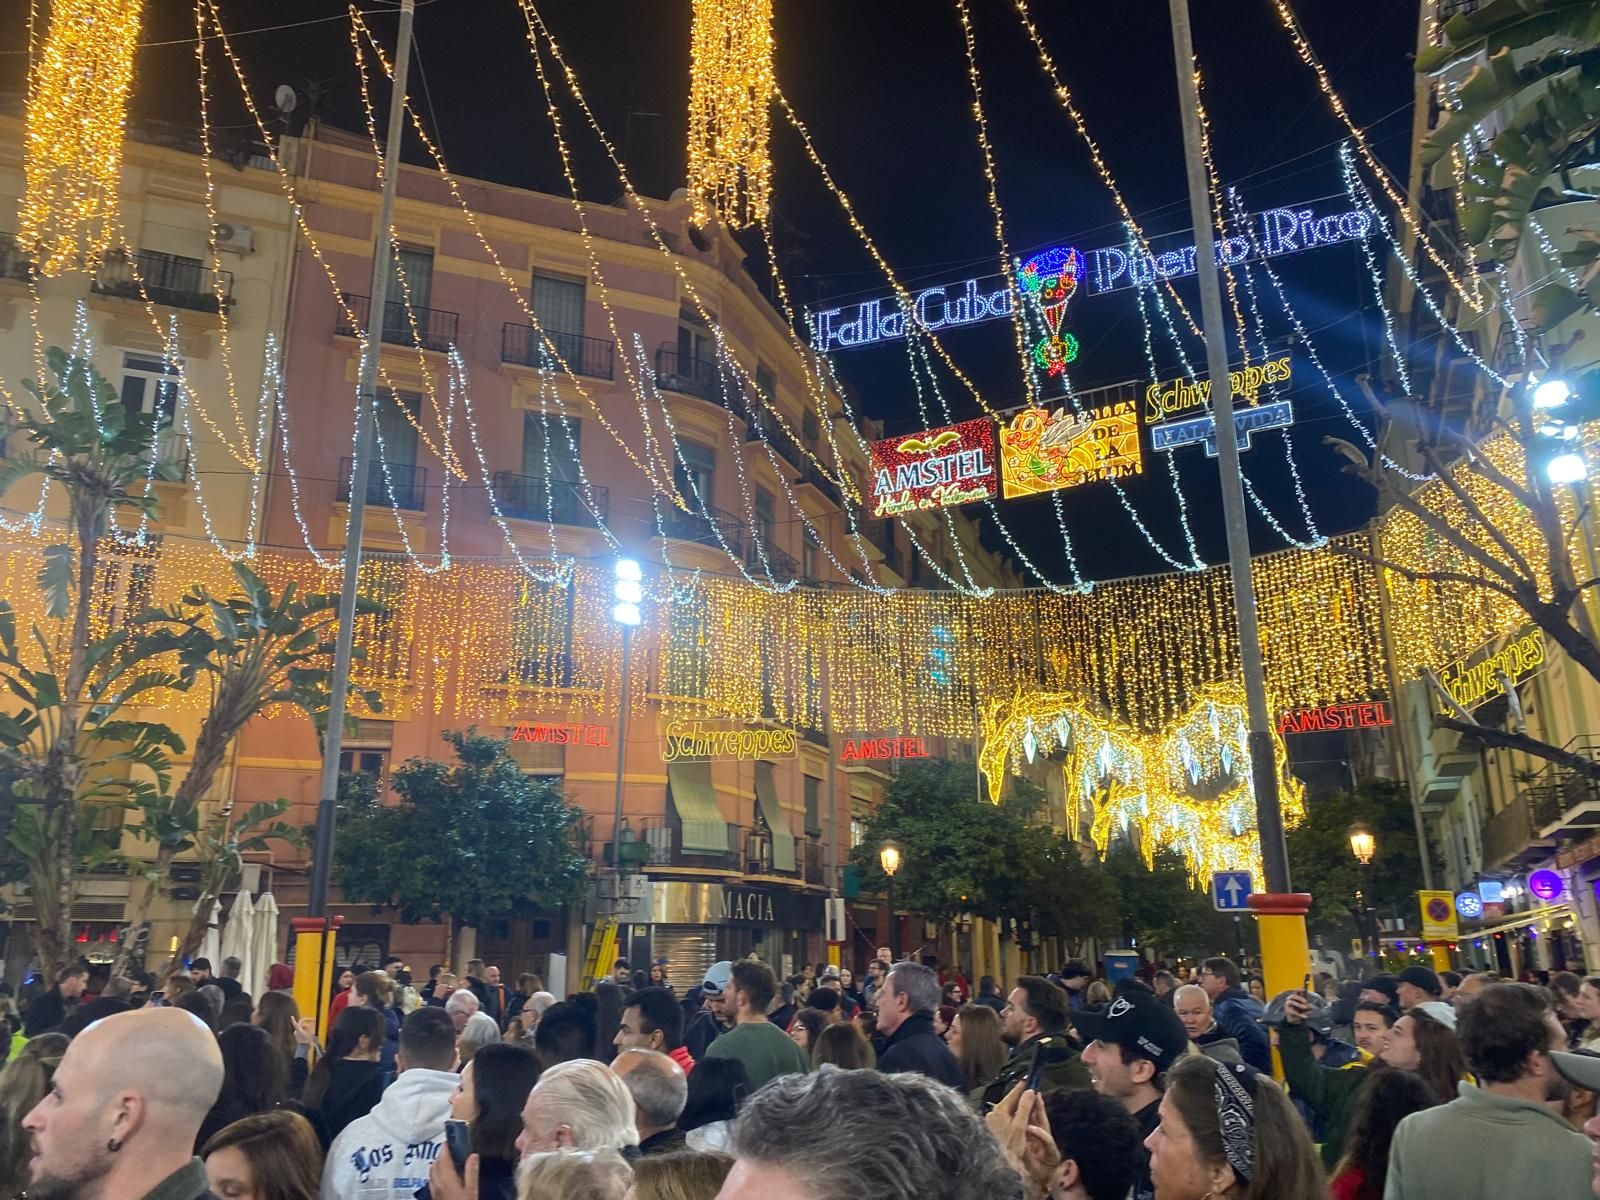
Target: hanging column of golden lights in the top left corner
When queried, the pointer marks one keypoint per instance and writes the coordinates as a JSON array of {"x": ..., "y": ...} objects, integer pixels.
[{"x": 78, "y": 102}]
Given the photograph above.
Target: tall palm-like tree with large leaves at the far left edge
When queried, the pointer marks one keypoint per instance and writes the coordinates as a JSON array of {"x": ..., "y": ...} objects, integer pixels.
[{"x": 70, "y": 748}]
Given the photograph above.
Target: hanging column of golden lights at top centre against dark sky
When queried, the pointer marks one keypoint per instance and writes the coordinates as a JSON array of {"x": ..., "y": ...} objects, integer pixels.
[{"x": 730, "y": 111}]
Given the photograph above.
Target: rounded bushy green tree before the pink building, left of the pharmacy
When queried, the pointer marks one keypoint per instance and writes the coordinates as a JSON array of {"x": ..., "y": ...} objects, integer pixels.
[{"x": 468, "y": 839}]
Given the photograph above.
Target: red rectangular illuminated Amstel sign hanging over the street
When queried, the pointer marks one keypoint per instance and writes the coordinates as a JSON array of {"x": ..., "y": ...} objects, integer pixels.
[{"x": 934, "y": 470}]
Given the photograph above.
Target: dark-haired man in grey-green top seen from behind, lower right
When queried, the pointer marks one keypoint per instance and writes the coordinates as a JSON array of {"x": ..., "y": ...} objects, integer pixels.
[{"x": 1502, "y": 1137}]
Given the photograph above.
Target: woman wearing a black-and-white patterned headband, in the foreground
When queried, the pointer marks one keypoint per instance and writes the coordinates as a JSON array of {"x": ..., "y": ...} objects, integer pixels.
[{"x": 1231, "y": 1134}]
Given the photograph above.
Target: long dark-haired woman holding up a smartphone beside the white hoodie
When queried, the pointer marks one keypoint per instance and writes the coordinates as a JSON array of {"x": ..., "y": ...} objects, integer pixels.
[{"x": 486, "y": 1119}]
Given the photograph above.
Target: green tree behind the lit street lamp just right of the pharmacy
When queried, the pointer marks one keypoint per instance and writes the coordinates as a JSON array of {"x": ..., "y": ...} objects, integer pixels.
[{"x": 959, "y": 854}]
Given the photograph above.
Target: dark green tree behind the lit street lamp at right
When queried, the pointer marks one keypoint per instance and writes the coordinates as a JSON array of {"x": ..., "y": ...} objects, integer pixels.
[{"x": 1321, "y": 860}]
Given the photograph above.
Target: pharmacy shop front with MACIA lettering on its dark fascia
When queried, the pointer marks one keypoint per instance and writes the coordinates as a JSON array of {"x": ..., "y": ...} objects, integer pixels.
[{"x": 694, "y": 926}]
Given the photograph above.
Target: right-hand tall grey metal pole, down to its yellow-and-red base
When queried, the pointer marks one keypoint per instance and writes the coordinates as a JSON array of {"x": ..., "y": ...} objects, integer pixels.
[{"x": 1270, "y": 818}]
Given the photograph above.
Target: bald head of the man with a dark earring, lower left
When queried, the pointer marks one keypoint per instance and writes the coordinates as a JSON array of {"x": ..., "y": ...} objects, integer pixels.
[{"x": 122, "y": 1116}]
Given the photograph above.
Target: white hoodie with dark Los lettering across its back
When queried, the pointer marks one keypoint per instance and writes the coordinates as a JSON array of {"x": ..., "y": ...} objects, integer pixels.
[{"x": 386, "y": 1154}]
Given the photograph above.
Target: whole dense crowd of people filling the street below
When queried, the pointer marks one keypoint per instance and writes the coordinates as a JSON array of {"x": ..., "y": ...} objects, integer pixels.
[{"x": 1417, "y": 1086}]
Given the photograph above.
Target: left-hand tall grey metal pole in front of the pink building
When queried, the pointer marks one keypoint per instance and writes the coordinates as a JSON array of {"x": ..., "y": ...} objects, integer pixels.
[{"x": 366, "y": 402}]
